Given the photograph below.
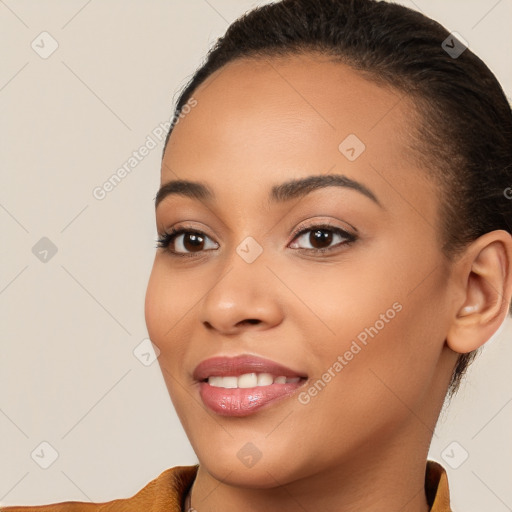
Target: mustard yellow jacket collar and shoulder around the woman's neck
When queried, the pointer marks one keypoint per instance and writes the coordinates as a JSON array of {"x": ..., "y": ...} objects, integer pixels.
[{"x": 167, "y": 492}]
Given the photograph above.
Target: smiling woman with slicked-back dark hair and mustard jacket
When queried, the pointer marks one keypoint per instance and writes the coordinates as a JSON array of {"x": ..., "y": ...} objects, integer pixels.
[{"x": 334, "y": 247}]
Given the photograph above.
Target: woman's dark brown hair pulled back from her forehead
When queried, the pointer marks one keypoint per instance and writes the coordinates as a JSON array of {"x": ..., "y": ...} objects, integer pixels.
[{"x": 465, "y": 135}]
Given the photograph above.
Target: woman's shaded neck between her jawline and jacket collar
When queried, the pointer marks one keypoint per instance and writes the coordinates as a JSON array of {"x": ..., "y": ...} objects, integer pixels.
[{"x": 377, "y": 482}]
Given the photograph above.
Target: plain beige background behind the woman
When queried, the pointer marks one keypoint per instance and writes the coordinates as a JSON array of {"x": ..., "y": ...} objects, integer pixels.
[{"x": 69, "y": 326}]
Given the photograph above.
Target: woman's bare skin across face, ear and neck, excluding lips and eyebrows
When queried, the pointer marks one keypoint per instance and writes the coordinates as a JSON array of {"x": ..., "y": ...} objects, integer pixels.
[{"x": 362, "y": 442}]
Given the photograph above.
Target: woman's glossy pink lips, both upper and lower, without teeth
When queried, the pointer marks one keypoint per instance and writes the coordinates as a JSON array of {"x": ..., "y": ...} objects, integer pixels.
[{"x": 243, "y": 401}]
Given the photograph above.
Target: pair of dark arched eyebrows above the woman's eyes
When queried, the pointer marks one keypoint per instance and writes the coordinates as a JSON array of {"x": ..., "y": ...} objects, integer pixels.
[{"x": 278, "y": 194}]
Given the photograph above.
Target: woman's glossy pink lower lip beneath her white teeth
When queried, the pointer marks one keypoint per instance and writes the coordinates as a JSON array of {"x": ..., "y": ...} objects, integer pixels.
[{"x": 244, "y": 401}]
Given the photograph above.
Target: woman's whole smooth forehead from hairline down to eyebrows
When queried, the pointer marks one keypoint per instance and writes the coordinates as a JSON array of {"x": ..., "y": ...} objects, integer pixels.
[{"x": 268, "y": 120}]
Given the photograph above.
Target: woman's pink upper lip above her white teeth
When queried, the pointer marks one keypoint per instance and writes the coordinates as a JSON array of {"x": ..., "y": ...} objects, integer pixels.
[{"x": 239, "y": 365}]
